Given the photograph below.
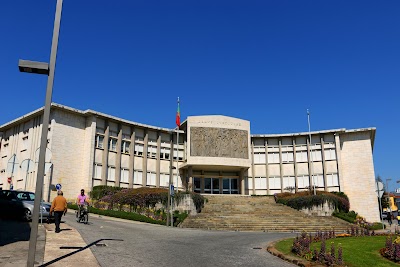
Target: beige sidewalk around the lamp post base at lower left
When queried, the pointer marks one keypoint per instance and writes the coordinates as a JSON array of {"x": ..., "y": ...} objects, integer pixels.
[{"x": 66, "y": 248}]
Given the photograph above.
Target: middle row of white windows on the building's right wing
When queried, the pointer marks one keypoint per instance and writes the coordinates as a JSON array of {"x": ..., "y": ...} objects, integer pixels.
[{"x": 288, "y": 156}]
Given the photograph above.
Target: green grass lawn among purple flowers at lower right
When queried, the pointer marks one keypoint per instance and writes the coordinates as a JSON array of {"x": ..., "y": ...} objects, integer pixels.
[{"x": 357, "y": 251}]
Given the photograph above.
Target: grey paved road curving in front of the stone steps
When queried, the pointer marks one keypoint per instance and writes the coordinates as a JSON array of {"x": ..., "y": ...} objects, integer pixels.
[{"x": 147, "y": 245}]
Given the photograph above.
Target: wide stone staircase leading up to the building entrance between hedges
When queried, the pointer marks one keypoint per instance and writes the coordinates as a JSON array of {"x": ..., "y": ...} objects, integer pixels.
[{"x": 261, "y": 213}]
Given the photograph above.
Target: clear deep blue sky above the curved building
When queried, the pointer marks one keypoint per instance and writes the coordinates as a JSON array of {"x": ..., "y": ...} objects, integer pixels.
[{"x": 262, "y": 61}]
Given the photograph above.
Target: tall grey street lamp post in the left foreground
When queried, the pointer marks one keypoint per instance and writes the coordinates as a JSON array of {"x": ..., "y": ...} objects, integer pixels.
[{"x": 42, "y": 68}]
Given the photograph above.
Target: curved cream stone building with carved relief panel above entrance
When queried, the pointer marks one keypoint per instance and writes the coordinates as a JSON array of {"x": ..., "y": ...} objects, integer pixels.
[{"x": 215, "y": 155}]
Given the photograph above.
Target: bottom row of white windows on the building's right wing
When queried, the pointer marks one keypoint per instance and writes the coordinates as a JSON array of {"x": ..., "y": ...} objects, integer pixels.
[{"x": 303, "y": 181}]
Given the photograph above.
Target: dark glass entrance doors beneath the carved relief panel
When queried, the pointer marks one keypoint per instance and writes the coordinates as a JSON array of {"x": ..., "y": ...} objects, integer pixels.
[{"x": 213, "y": 185}]
